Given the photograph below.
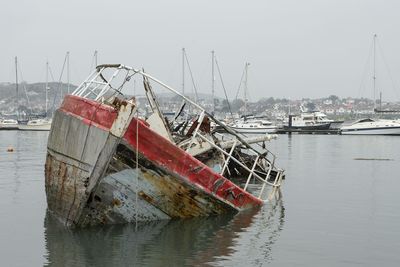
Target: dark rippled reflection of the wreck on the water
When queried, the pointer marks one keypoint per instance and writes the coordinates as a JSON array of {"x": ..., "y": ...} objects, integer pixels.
[{"x": 192, "y": 242}]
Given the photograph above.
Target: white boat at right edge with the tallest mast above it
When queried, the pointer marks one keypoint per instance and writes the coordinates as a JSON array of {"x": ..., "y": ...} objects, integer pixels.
[{"x": 371, "y": 126}]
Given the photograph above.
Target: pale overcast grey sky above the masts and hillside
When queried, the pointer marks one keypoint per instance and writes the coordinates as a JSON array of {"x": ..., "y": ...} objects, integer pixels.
[{"x": 296, "y": 48}]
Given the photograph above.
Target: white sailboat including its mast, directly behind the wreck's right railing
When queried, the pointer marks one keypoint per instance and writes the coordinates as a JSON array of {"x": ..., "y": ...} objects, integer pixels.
[{"x": 249, "y": 124}]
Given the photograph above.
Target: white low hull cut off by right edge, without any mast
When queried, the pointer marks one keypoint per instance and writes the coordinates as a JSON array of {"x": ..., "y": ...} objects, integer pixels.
[{"x": 370, "y": 126}]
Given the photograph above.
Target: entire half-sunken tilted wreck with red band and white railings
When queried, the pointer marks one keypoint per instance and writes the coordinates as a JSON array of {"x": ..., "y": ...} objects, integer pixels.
[{"x": 105, "y": 165}]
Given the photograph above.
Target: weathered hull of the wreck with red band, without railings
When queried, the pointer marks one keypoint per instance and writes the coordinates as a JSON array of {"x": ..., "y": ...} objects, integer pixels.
[{"x": 146, "y": 176}]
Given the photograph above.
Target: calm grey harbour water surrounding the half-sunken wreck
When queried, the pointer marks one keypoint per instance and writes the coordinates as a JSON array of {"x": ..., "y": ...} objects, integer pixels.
[{"x": 335, "y": 211}]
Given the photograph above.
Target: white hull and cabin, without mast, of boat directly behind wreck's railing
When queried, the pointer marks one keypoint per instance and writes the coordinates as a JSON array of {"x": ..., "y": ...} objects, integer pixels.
[{"x": 253, "y": 125}]
